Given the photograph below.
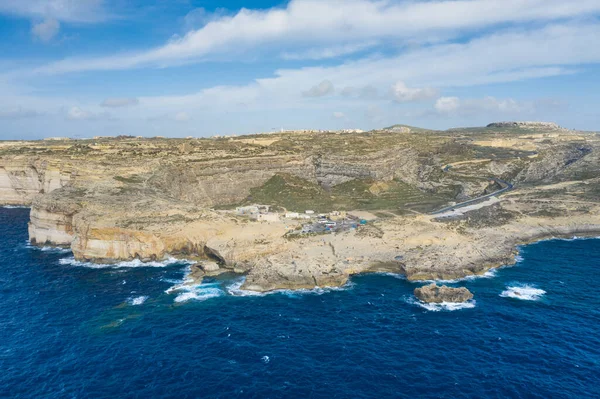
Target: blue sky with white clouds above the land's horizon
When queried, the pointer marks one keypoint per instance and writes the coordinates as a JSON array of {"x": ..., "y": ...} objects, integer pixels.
[{"x": 178, "y": 68}]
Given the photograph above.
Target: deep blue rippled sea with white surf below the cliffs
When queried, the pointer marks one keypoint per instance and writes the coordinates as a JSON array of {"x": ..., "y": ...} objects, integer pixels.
[{"x": 68, "y": 330}]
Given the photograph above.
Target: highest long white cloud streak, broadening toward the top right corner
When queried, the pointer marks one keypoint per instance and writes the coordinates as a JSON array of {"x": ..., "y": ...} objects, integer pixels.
[{"x": 327, "y": 24}]
